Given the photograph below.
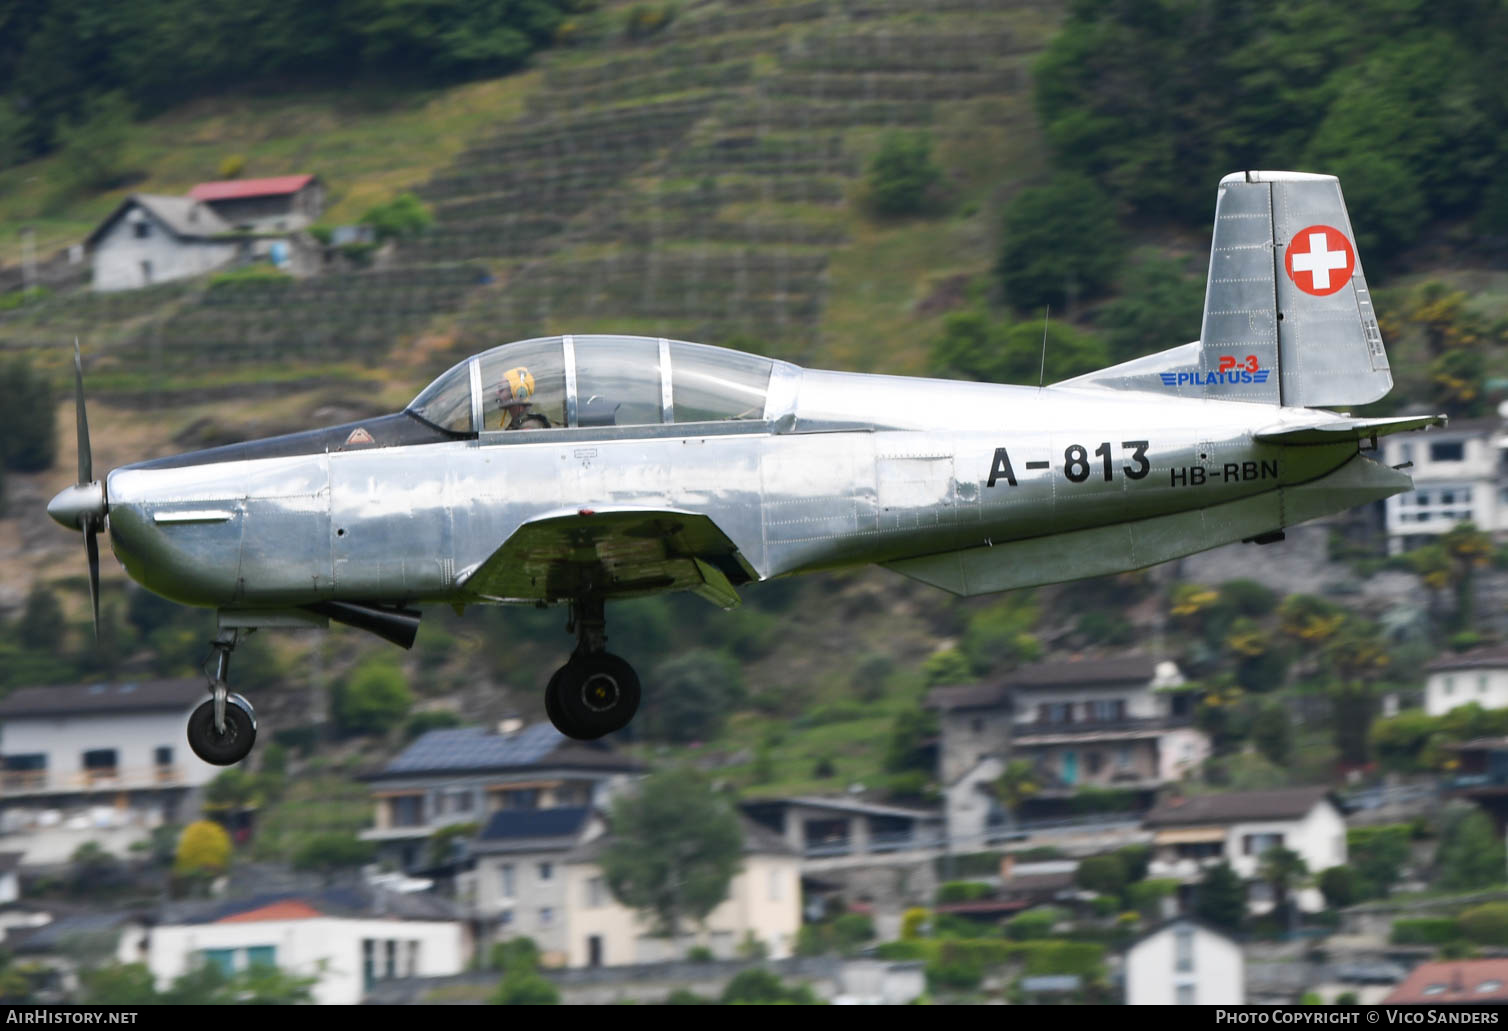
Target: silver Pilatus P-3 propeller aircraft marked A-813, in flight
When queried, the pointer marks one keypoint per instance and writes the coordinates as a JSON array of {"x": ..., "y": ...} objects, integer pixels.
[{"x": 583, "y": 470}]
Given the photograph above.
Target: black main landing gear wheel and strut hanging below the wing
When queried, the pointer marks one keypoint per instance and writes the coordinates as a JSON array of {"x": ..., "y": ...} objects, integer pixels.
[{"x": 595, "y": 693}]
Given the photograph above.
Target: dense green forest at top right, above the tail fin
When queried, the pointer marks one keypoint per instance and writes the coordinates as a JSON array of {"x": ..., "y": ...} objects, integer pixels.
[{"x": 1159, "y": 103}]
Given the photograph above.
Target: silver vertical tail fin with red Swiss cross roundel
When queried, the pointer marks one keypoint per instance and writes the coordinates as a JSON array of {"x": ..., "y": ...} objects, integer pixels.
[{"x": 1289, "y": 317}]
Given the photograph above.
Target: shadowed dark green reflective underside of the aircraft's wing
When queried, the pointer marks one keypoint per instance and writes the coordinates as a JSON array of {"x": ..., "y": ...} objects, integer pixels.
[{"x": 618, "y": 554}]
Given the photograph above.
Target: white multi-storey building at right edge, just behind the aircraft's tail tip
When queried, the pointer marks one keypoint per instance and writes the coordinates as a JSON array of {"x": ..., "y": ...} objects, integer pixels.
[{"x": 1459, "y": 477}]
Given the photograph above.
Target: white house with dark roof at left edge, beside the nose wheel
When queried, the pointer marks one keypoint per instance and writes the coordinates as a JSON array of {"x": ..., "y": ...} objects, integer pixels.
[{"x": 102, "y": 763}]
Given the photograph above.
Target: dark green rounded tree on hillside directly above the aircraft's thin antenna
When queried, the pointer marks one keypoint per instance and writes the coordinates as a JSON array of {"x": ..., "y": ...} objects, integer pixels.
[{"x": 1062, "y": 245}]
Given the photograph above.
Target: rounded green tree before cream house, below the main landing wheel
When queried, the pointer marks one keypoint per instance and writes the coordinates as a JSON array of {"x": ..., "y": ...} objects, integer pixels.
[{"x": 675, "y": 849}]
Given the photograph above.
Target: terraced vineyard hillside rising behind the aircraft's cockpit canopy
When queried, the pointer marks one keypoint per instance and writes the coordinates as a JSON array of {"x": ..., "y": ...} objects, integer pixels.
[{"x": 699, "y": 185}]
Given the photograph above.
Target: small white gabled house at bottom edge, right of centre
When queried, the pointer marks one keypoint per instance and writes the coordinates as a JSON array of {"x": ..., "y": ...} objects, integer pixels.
[{"x": 1185, "y": 962}]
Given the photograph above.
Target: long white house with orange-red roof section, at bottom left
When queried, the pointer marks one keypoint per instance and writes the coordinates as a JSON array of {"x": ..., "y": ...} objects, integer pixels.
[{"x": 346, "y": 947}]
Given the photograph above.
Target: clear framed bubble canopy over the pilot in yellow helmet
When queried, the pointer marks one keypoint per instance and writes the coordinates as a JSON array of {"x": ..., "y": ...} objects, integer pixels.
[{"x": 589, "y": 382}]
